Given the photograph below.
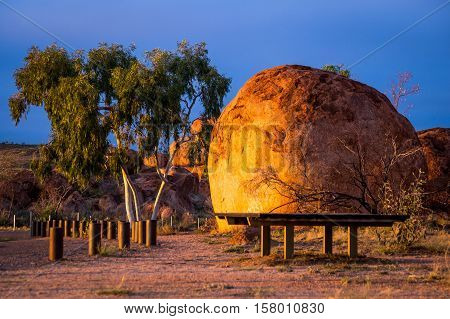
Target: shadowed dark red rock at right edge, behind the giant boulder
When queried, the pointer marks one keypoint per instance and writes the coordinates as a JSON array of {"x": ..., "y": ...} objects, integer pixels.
[{"x": 436, "y": 148}]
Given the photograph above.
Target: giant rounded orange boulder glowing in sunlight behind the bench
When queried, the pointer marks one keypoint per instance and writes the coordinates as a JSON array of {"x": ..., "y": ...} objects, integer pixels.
[{"x": 302, "y": 124}]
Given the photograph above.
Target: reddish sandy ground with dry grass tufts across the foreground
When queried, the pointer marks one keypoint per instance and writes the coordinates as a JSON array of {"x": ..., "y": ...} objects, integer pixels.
[{"x": 202, "y": 266}]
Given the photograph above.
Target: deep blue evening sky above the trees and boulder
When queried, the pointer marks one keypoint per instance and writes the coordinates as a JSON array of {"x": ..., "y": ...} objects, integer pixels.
[{"x": 243, "y": 38}]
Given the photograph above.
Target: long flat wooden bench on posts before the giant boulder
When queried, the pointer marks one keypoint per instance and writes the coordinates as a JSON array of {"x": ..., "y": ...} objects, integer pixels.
[{"x": 351, "y": 221}]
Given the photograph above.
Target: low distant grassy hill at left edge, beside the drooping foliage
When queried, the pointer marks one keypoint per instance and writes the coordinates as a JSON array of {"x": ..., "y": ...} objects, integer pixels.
[{"x": 15, "y": 157}]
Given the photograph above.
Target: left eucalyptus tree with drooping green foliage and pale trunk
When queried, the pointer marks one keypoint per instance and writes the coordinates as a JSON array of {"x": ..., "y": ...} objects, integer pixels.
[{"x": 84, "y": 108}]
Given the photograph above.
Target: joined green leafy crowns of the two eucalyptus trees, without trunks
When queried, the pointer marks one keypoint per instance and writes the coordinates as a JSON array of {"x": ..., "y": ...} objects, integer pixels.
[{"x": 89, "y": 96}]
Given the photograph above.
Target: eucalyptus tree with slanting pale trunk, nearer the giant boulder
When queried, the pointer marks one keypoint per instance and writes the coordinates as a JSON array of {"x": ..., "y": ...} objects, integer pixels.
[{"x": 185, "y": 83}]
